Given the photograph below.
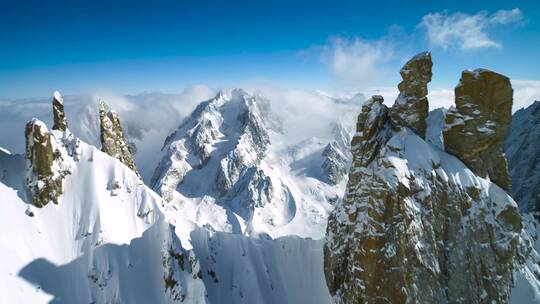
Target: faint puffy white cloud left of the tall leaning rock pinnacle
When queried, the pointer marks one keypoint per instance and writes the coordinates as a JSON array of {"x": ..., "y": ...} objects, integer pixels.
[{"x": 358, "y": 62}]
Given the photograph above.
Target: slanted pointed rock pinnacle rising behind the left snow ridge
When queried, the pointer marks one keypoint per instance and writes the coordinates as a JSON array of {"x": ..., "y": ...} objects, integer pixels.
[{"x": 112, "y": 137}]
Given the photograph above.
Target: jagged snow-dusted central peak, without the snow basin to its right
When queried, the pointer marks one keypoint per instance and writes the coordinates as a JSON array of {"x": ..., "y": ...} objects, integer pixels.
[{"x": 218, "y": 152}]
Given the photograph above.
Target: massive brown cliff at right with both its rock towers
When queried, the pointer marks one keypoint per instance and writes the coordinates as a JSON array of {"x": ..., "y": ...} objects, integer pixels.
[{"x": 419, "y": 223}]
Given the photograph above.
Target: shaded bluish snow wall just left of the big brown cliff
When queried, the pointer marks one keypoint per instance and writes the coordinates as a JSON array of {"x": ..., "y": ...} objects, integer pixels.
[{"x": 248, "y": 270}]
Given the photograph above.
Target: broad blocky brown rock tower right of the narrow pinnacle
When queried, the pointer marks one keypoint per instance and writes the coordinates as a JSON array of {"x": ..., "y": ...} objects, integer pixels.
[{"x": 475, "y": 130}]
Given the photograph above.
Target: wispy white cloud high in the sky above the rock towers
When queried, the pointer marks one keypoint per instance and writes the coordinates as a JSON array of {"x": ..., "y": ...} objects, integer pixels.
[{"x": 464, "y": 31}]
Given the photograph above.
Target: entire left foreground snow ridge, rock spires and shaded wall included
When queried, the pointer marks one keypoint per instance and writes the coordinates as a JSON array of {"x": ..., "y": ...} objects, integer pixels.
[{"x": 89, "y": 230}]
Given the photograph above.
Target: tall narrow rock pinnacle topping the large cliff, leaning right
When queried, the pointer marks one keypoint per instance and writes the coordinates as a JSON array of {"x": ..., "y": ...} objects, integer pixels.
[{"x": 411, "y": 107}]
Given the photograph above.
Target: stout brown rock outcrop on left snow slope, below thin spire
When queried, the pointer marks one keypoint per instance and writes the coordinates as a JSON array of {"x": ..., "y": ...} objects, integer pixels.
[{"x": 44, "y": 184}]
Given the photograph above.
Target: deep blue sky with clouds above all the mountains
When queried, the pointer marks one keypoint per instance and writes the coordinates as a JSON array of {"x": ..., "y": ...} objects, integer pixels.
[{"x": 136, "y": 46}]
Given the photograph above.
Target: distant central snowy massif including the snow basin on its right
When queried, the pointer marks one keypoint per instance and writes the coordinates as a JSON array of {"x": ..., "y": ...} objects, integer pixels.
[{"x": 227, "y": 166}]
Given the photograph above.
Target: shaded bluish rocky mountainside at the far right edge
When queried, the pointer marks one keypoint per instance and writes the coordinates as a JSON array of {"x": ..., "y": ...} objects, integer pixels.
[{"x": 522, "y": 148}]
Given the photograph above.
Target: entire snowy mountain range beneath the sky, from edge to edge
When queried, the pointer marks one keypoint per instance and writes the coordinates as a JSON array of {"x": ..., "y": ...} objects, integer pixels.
[{"x": 238, "y": 213}]
